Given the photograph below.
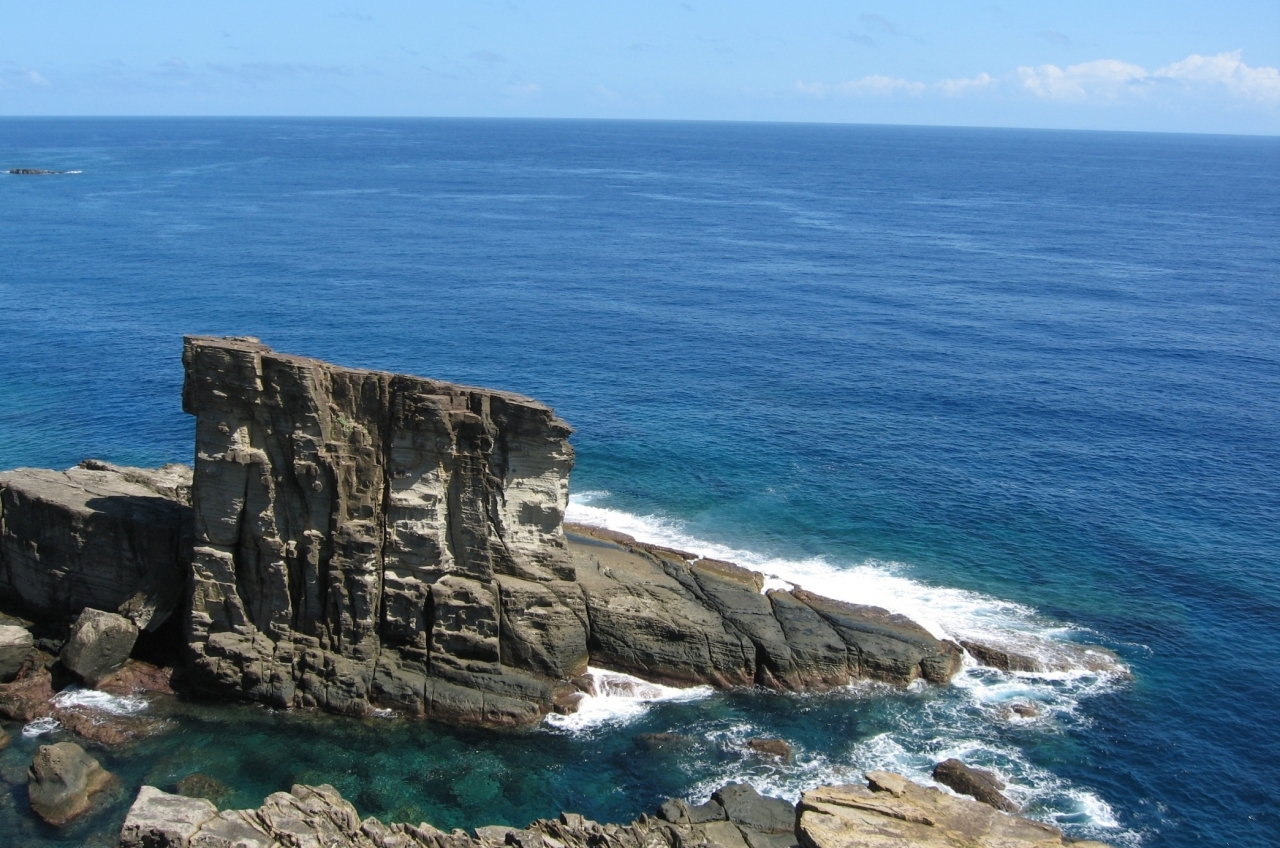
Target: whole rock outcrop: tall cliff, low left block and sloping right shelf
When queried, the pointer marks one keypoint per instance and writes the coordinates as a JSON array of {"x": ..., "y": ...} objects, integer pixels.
[{"x": 354, "y": 540}]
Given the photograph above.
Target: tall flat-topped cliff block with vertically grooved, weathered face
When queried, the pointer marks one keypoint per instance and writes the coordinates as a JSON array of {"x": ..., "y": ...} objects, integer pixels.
[{"x": 359, "y": 532}]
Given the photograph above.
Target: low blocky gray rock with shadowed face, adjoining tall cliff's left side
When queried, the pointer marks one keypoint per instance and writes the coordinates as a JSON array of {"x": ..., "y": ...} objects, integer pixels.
[{"x": 95, "y": 536}]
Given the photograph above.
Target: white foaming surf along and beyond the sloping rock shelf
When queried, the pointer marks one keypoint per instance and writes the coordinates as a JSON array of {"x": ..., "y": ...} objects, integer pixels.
[{"x": 967, "y": 724}]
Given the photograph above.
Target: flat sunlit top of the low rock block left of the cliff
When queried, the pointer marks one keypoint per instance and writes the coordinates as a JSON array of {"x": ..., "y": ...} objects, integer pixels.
[{"x": 81, "y": 489}]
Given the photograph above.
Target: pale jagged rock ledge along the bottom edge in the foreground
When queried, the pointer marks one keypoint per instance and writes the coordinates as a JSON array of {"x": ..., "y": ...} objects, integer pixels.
[{"x": 890, "y": 811}]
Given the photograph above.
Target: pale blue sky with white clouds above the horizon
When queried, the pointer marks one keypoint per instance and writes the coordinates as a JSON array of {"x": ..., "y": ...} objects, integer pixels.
[{"x": 1132, "y": 66}]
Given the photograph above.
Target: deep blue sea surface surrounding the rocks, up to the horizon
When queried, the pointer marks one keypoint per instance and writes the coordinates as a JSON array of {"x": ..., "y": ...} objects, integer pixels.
[{"x": 1005, "y": 382}]
